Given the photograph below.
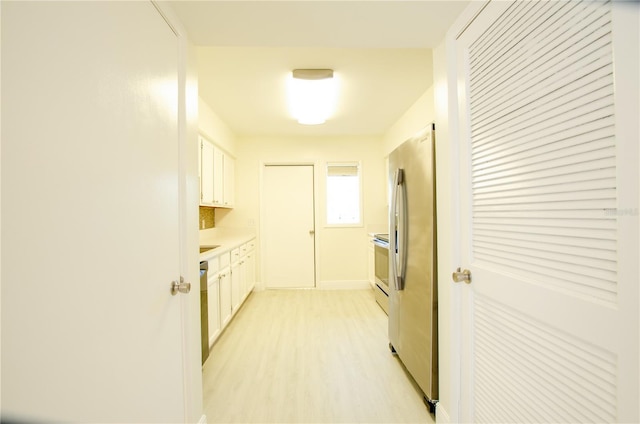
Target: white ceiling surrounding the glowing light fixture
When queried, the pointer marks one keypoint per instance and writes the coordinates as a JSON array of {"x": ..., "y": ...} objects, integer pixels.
[{"x": 379, "y": 50}]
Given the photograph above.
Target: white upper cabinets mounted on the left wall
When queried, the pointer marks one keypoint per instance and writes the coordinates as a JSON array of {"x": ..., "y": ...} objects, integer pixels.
[{"x": 216, "y": 176}]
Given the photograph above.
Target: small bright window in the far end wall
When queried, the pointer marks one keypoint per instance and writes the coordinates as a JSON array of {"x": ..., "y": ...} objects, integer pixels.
[{"x": 344, "y": 194}]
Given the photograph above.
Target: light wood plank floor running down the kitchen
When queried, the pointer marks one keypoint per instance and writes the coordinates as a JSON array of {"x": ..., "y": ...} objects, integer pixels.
[{"x": 294, "y": 356}]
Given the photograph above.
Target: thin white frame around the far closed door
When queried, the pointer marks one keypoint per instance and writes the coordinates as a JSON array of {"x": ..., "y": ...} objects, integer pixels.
[{"x": 261, "y": 285}]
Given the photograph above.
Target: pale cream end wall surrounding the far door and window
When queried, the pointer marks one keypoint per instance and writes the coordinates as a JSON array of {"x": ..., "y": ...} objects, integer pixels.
[{"x": 342, "y": 254}]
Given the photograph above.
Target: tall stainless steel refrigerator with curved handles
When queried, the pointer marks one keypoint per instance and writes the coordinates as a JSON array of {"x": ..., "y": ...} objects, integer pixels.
[{"x": 413, "y": 299}]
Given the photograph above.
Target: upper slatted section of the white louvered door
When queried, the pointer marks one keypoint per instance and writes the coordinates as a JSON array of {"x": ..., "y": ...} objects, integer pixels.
[{"x": 534, "y": 127}]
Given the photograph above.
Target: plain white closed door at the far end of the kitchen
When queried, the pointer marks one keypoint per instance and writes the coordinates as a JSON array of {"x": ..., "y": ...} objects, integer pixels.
[{"x": 288, "y": 226}]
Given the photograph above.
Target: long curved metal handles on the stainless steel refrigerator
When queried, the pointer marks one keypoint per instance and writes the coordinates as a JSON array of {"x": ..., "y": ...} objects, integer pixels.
[{"x": 398, "y": 234}]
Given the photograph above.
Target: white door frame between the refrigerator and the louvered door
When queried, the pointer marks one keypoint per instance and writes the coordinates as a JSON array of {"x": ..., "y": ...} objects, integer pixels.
[{"x": 448, "y": 204}]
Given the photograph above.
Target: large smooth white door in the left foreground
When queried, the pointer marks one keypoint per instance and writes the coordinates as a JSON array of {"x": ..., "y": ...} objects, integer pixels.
[{"x": 90, "y": 197}]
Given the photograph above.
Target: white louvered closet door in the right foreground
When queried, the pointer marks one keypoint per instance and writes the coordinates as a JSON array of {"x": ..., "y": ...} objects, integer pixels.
[{"x": 549, "y": 212}]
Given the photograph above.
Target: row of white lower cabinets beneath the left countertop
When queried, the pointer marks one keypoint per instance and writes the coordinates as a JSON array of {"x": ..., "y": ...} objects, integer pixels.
[{"x": 231, "y": 278}]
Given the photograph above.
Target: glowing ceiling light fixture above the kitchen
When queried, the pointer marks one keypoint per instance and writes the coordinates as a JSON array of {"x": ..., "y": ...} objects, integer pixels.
[{"x": 312, "y": 95}]
